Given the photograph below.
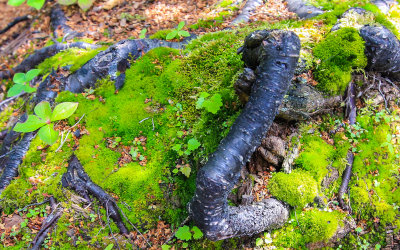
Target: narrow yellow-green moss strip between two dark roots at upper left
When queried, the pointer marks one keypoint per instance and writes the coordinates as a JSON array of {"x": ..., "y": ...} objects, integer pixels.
[{"x": 74, "y": 57}]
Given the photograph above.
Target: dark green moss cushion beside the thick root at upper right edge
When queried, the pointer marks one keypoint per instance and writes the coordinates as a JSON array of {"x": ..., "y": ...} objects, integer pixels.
[{"x": 340, "y": 53}]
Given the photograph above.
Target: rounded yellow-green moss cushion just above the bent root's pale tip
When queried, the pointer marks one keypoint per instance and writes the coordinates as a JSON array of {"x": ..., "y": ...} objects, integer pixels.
[{"x": 297, "y": 188}]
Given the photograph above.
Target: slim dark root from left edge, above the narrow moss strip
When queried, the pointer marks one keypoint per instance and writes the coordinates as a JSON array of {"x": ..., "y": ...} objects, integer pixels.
[{"x": 40, "y": 55}]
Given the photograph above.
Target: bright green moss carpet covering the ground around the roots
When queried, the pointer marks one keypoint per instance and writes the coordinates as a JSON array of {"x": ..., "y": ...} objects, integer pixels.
[{"x": 144, "y": 143}]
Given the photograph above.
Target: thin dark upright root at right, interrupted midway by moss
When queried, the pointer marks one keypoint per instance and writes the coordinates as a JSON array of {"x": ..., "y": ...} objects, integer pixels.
[{"x": 351, "y": 114}]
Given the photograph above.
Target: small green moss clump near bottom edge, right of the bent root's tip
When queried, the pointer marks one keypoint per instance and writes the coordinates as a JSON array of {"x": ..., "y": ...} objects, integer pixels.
[{"x": 318, "y": 225}]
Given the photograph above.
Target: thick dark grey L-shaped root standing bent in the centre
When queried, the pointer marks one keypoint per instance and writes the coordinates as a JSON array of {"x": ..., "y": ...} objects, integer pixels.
[{"x": 274, "y": 54}]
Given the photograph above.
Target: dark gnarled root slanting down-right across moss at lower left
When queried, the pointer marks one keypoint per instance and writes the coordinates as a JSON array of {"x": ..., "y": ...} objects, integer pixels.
[{"x": 76, "y": 179}]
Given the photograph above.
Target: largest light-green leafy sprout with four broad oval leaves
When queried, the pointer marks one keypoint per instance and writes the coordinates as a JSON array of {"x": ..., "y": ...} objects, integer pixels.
[{"x": 44, "y": 118}]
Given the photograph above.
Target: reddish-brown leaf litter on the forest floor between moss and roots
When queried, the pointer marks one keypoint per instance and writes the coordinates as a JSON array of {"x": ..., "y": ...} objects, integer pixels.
[{"x": 108, "y": 22}]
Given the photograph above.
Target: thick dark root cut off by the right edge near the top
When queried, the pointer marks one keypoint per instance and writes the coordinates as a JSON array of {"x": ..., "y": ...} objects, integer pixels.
[{"x": 382, "y": 49}]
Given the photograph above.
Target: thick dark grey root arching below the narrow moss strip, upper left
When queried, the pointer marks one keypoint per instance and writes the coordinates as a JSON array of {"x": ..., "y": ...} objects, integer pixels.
[{"x": 107, "y": 62}]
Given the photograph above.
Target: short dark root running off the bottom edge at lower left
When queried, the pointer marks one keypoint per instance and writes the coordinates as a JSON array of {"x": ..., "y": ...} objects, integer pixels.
[{"x": 48, "y": 224}]
